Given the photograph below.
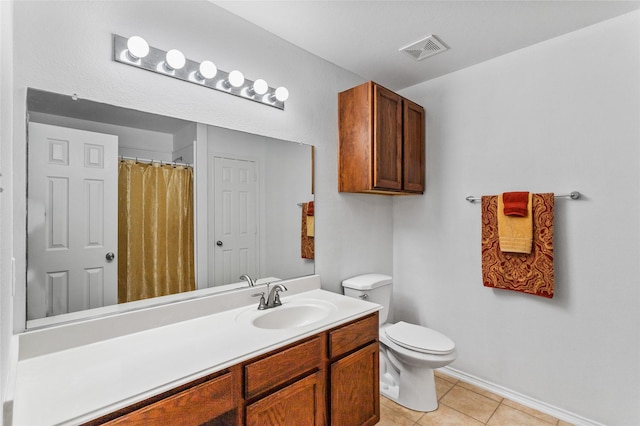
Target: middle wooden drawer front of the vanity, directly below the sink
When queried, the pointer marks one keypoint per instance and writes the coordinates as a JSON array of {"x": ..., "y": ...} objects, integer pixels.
[{"x": 283, "y": 366}]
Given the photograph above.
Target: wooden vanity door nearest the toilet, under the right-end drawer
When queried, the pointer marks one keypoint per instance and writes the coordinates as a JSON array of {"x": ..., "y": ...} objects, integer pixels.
[{"x": 355, "y": 388}]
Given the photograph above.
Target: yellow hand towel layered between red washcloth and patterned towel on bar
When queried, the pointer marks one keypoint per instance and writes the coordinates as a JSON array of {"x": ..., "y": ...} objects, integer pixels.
[{"x": 515, "y": 233}]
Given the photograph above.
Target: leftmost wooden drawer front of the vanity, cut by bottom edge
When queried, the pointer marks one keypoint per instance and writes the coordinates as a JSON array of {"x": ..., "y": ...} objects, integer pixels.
[{"x": 195, "y": 405}]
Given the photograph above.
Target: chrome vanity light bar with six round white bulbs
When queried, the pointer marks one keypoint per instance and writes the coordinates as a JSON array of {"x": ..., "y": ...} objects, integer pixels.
[{"x": 135, "y": 51}]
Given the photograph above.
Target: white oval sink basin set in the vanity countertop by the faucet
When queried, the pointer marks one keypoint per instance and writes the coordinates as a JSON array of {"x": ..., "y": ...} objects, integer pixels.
[{"x": 291, "y": 314}]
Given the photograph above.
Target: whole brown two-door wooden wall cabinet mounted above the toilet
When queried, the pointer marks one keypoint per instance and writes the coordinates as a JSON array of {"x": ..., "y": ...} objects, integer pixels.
[{"x": 381, "y": 142}]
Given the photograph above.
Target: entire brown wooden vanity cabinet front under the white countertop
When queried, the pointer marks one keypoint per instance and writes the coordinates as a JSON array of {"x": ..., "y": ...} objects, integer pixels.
[{"x": 331, "y": 378}]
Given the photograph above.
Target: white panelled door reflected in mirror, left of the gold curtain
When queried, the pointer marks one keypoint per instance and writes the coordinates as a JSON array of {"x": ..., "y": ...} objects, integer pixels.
[{"x": 73, "y": 220}]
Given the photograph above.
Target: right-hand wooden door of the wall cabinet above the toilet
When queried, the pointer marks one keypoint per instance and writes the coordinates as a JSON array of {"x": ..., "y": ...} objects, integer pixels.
[{"x": 414, "y": 160}]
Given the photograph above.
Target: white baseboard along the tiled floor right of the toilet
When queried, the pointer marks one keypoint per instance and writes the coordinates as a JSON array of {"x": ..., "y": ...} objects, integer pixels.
[{"x": 525, "y": 400}]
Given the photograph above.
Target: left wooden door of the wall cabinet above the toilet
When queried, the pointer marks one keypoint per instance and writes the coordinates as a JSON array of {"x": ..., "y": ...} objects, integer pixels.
[{"x": 387, "y": 139}]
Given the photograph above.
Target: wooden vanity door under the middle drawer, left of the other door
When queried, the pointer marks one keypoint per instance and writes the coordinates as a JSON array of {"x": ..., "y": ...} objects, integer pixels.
[{"x": 301, "y": 403}]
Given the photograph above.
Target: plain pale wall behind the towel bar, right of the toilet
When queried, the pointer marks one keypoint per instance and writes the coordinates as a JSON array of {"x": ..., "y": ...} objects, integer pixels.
[{"x": 559, "y": 116}]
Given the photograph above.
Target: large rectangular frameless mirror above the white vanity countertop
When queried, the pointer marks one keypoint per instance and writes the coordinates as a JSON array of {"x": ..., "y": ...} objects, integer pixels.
[{"x": 246, "y": 206}]
